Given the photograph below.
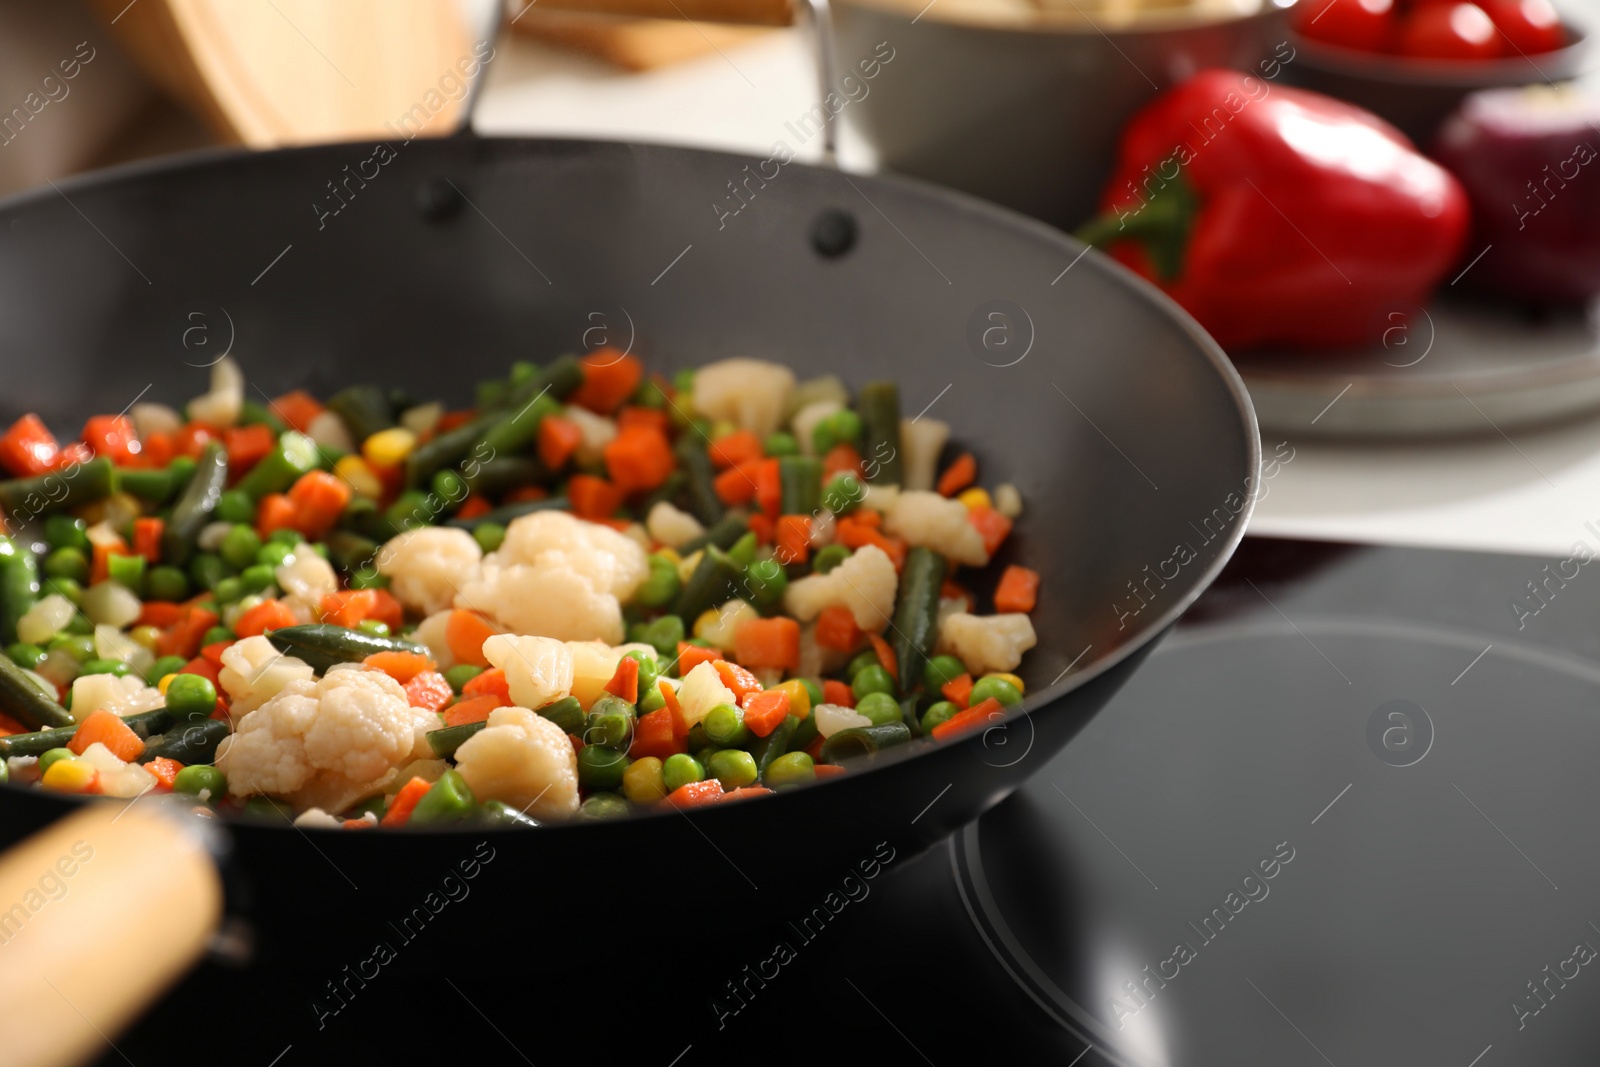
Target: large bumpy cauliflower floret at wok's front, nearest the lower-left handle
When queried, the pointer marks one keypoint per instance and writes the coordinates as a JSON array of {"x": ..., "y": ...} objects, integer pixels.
[{"x": 324, "y": 743}]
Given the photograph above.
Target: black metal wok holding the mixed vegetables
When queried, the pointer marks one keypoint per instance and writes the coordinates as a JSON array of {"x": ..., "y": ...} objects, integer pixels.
[{"x": 1121, "y": 422}]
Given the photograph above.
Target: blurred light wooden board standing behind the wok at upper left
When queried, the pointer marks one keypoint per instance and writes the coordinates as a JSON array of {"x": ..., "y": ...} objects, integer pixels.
[{"x": 271, "y": 73}]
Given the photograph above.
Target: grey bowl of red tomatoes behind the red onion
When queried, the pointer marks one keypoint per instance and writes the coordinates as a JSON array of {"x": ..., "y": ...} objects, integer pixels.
[{"x": 1415, "y": 63}]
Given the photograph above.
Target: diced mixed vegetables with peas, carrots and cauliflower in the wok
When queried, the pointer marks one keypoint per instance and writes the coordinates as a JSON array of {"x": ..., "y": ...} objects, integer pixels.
[{"x": 594, "y": 593}]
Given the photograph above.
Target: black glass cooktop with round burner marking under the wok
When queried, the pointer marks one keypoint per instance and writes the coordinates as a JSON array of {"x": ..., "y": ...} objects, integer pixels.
[{"x": 1348, "y": 813}]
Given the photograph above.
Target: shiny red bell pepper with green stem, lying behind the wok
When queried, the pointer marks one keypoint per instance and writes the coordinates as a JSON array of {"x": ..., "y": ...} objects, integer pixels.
[{"x": 1276, "y": 215}]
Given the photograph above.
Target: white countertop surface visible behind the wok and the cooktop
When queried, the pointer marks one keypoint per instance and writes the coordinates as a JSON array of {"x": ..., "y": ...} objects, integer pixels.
[{"x": 1532, "y": 492}]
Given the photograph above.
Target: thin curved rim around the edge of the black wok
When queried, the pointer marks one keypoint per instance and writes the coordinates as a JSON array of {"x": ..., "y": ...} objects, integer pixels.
[{"x": 942, "y": 198}]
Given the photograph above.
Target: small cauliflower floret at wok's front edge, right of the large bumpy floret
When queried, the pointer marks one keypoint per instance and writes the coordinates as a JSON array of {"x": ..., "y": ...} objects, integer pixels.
[{"x": 524, "y": 761}]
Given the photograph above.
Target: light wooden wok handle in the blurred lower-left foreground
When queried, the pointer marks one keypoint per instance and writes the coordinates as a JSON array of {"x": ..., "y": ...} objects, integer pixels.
[{"x": 100, "y": 913}]
